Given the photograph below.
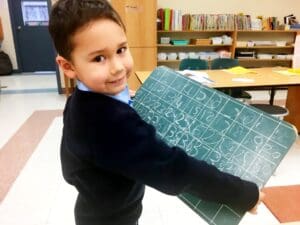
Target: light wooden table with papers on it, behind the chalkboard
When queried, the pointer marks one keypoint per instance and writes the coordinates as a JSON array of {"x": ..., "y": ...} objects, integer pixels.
[{"x": 260, "y": 78}]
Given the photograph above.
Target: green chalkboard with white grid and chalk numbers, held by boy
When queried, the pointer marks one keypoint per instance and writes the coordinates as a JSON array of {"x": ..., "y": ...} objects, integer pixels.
[{"x": 214, "y": 127}]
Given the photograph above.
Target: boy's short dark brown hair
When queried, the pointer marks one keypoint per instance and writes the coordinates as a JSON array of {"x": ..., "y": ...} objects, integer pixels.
[{"x": 67, "y": 16}]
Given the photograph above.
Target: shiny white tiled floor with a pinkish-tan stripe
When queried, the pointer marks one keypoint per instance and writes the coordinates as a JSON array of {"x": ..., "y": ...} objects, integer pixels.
[{"x": 30, "y": 119}]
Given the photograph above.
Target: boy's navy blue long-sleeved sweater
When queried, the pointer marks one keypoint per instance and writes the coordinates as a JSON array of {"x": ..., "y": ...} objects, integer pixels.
[{"x": 109, "y": 153}]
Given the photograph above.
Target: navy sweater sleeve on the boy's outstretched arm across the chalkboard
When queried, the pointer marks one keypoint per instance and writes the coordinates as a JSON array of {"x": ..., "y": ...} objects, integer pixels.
[{"x": 134, "y": 151}]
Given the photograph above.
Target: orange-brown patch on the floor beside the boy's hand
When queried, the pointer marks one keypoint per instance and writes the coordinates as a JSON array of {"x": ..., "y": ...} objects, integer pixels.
[{"x": 283, "y": 202}]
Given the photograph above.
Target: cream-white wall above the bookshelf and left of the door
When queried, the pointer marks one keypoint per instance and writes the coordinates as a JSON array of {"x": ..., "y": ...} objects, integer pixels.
[{"x": 279, "y": 8}]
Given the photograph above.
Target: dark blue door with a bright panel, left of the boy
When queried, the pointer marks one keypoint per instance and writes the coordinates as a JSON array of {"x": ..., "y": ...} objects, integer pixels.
[{"x": 34, "y": 48}]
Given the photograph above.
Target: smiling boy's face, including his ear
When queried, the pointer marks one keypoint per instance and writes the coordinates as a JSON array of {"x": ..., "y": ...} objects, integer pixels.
[{"x": 101, "y": 58}]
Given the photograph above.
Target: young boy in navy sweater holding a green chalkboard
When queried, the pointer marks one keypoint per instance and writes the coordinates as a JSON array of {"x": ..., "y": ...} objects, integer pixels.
[{"x": 107, "y": 151}]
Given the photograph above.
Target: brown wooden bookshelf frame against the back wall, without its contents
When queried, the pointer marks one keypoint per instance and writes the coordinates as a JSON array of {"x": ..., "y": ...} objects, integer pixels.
[{"x": 287, "y": 36}]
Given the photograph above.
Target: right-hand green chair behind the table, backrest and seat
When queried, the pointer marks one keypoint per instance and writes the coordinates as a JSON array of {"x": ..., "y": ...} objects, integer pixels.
[{"x": 225, "y": 63}]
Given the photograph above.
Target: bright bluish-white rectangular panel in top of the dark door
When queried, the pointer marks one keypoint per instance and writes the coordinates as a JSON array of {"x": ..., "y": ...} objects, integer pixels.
[{"x": 35, "y": 13}]
